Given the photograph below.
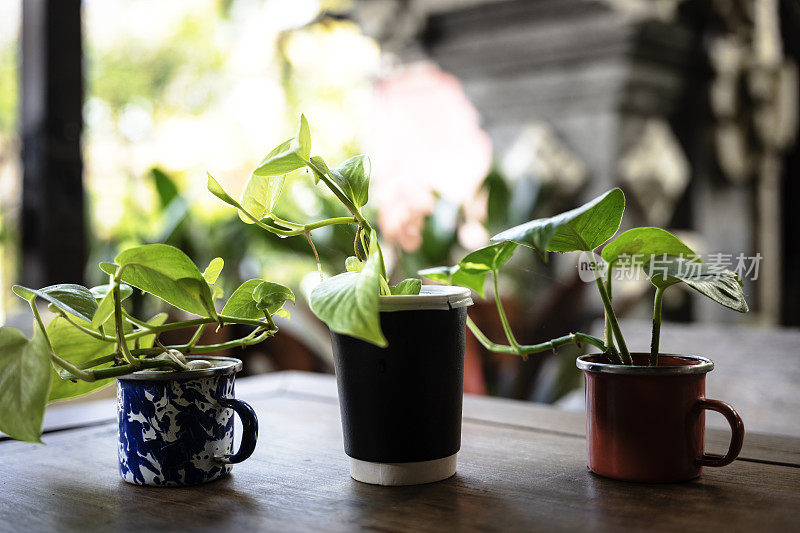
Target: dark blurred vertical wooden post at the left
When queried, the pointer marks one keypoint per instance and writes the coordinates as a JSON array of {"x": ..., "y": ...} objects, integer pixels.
[{"x": 53, "y": 222}]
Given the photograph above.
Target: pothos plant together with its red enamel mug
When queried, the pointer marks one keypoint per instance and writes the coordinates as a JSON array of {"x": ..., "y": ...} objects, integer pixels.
[{"x": 644, "y": 411}]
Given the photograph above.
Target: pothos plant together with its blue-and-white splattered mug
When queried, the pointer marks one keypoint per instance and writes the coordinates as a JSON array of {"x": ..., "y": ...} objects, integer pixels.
[{"x": 175, "y": 404}]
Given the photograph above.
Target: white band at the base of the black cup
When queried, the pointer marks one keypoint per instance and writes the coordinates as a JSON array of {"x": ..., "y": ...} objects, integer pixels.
[{"x": 397, "y": 474}]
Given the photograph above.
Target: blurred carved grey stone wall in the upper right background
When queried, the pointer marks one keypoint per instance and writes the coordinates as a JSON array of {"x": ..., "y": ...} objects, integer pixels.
[{"x": 690, "y": 105}]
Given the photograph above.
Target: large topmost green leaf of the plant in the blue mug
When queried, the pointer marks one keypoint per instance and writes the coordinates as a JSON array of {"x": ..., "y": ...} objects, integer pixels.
[{"x": 169, "y": 274}]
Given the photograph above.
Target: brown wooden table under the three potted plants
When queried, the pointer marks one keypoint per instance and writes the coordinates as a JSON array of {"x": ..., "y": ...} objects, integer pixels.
[{"x": 521, "y": 467}]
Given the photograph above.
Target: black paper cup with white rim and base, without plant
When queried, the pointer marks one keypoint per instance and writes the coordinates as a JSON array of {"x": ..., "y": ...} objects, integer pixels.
[{"x": 401, "y": 405}]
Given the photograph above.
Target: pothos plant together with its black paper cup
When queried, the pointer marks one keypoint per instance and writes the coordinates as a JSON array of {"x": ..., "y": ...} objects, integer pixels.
[{"x": 398, "y": 349}]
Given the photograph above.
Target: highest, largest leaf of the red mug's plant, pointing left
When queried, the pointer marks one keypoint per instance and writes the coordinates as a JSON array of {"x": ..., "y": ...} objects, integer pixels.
[{"x": 583, "y": 228}]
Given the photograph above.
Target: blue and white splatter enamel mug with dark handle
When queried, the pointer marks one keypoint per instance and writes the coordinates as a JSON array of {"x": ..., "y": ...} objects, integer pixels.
[{"x": 176, "y": 428}]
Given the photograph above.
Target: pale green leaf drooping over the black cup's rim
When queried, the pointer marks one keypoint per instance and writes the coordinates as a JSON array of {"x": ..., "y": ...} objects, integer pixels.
[{"x": 348, "y": 303}]
